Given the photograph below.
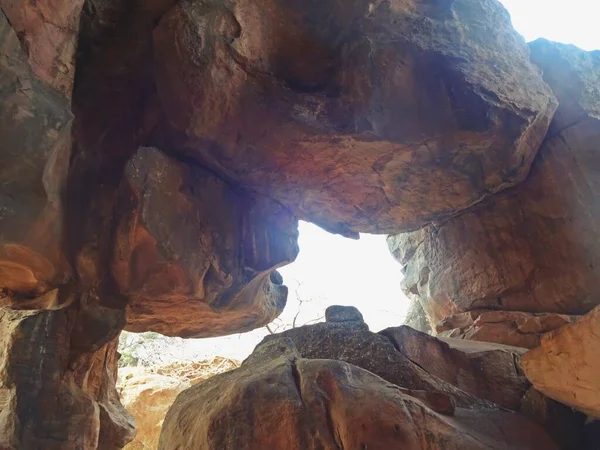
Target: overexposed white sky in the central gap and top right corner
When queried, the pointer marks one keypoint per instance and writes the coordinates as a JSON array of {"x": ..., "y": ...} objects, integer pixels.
[{"x": 335, "y": 270}]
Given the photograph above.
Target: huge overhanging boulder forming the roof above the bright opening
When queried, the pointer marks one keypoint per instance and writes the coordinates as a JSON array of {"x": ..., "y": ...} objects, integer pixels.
[{"x": 362, "y": 116}]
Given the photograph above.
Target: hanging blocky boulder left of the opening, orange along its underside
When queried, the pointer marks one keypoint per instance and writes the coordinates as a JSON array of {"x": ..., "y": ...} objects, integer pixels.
[{"x": 194, "y": 256}]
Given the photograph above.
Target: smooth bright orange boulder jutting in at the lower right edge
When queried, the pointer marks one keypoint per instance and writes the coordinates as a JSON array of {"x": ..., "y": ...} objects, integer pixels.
[{"x": 566, "y": 365}]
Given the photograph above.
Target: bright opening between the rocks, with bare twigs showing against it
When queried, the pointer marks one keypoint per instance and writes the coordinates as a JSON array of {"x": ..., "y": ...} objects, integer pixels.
[{"x": 329, "y": 270}]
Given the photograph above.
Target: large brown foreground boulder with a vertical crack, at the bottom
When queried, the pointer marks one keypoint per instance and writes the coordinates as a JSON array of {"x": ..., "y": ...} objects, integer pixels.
[{"x": 278, "y": 400}]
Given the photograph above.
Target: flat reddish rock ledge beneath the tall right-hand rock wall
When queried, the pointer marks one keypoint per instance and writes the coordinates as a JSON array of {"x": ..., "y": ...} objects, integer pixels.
[{"x": 504, "y": 327}]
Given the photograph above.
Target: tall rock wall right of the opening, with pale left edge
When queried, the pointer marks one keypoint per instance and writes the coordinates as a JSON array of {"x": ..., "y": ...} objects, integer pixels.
[{"x": 535, "y": 247}]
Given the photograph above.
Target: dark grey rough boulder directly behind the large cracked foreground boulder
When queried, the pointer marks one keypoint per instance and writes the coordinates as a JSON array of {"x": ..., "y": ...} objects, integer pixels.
[{"x": 356, "y": 345}]
